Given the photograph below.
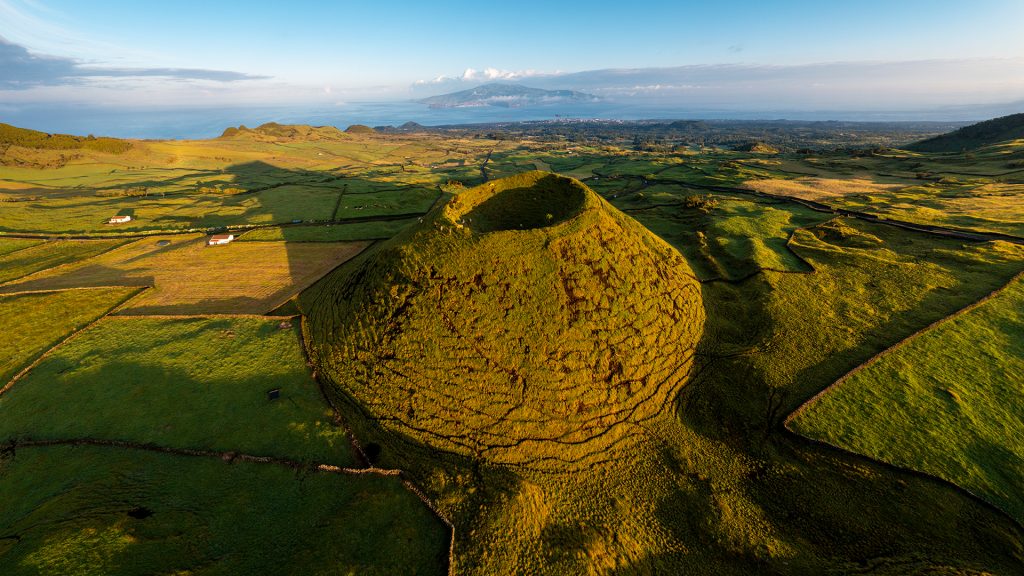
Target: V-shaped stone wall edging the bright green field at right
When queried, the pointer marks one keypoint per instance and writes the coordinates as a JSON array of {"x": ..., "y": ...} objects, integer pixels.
[{"x": 868, "y": 363}]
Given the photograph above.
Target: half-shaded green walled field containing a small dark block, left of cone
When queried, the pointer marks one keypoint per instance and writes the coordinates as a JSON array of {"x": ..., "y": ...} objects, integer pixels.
[{"x": 187, "y": 384}]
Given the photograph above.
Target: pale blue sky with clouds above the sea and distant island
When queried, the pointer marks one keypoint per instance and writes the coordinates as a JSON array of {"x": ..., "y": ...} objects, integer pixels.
[{"x": 203, "y": 53}]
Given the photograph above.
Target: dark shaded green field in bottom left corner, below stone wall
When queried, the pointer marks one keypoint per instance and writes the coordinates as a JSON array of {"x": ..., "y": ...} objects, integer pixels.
[{"x": 69, "y": 510}]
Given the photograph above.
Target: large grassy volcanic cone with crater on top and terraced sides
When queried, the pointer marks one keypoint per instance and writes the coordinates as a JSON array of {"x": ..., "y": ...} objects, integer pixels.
[{"x": 528, "y": 322}]
